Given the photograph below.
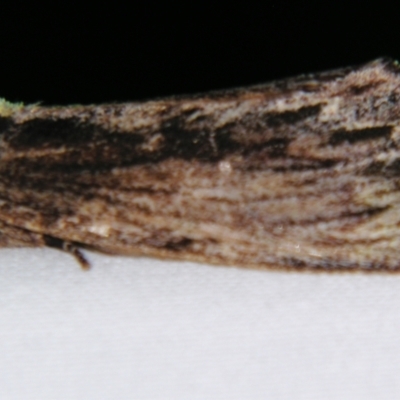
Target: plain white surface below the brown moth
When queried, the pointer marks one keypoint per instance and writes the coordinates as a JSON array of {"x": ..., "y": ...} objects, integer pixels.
[{"x": 137, "y": 328}]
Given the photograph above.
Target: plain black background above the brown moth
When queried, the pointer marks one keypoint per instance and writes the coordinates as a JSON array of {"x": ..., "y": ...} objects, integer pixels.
[{"x": 73, "y": 52}]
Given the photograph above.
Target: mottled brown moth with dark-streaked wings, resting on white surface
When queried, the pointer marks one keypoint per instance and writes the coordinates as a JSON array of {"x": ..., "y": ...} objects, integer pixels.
[{"x": 298, "y": 173}]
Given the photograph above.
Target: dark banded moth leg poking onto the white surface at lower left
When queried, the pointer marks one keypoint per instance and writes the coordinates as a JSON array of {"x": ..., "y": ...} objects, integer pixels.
[{"x": 12, "y": 236}]
